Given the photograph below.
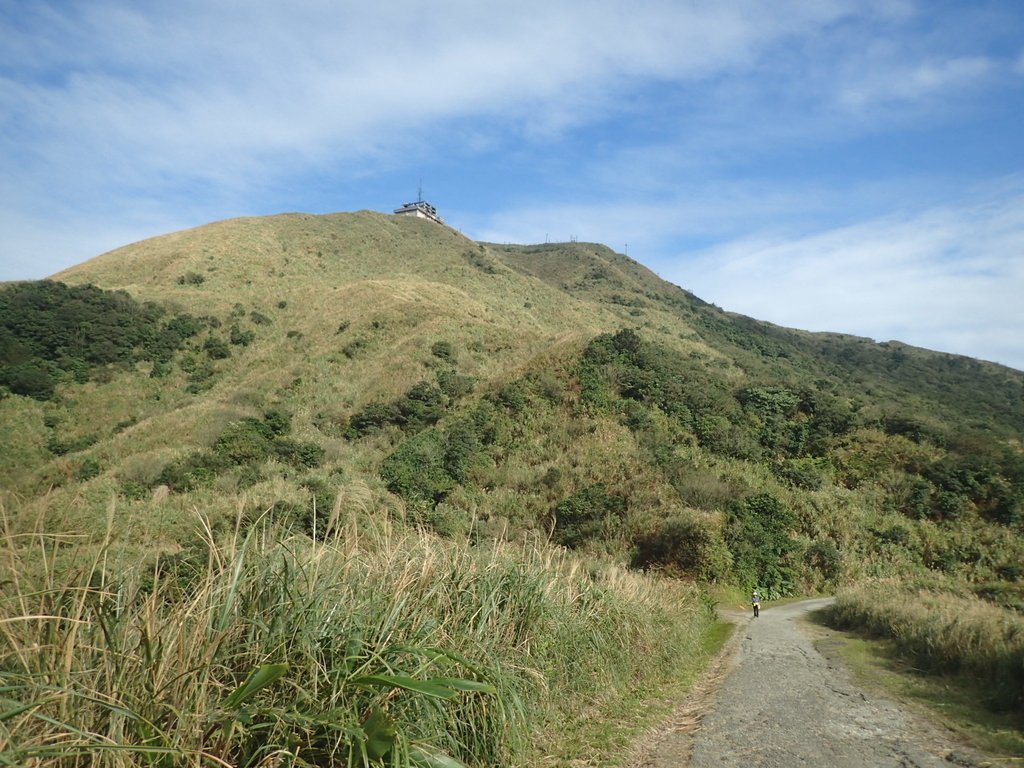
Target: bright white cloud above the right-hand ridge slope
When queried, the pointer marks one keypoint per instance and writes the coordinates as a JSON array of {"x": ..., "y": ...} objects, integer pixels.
[{"x": 948, "y": 279}]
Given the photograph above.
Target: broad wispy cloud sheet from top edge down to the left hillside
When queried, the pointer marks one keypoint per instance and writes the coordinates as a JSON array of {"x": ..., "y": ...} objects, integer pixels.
[{"x": 109, "y": 109}]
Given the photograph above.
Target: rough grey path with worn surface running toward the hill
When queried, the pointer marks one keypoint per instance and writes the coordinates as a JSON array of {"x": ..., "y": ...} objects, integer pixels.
[{"x": 776, "y": 702}]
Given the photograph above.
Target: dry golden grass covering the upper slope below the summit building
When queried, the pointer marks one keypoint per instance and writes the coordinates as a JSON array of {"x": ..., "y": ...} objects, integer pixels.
[{"x": 394, "y": 285}]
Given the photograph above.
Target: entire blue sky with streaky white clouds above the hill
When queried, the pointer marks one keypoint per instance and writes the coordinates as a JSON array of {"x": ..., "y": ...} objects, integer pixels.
[{"x": 854, "y": 166}]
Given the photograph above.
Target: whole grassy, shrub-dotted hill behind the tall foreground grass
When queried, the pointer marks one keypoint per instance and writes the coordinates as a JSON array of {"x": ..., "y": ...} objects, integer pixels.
[{"x": 560, "y": 391}]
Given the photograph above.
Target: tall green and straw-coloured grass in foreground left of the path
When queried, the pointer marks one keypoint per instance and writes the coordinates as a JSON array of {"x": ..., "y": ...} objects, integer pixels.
[{"x": 372, "y": 647}]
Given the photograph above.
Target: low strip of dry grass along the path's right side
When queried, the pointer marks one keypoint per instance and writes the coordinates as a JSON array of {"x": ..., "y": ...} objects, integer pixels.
[{"x": 945, "y": 633}]
